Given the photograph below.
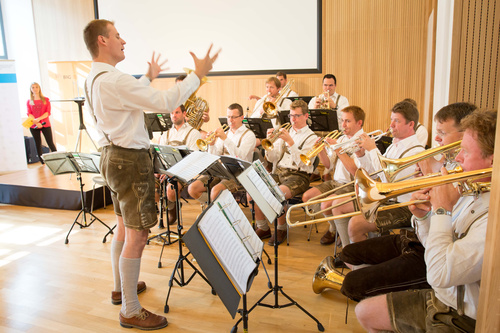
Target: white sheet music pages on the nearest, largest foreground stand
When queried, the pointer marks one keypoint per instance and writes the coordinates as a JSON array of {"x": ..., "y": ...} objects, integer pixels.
[{"x": 226, "y": 244}]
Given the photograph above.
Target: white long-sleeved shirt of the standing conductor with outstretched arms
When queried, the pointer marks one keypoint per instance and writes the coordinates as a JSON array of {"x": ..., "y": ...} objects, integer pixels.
[{"x": 119, "y": 99}]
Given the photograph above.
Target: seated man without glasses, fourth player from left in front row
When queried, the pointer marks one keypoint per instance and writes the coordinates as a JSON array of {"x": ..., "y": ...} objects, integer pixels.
[{"x": 345, "y": 165}]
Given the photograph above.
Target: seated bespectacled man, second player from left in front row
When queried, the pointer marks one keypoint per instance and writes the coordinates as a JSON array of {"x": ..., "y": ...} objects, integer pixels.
[{"x": 238, "y": 141}]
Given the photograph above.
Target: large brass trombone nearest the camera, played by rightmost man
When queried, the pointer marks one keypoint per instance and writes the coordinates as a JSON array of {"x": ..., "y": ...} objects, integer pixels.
[{"x": 369, "y": 194}]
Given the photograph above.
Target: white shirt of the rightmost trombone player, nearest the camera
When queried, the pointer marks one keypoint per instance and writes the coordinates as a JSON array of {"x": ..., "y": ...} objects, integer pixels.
[{"x": 450, "y": 261}]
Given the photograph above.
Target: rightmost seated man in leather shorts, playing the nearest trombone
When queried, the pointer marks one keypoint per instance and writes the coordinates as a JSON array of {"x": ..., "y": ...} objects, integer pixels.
[{"x": 453, "y": 230}]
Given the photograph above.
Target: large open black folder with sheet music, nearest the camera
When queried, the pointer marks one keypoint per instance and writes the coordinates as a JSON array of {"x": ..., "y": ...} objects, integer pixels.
[{"x": 227, "y": 249}]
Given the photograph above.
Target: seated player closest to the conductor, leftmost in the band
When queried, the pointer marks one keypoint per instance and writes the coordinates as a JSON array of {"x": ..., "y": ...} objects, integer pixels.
[{"x": 180, "y": 134}]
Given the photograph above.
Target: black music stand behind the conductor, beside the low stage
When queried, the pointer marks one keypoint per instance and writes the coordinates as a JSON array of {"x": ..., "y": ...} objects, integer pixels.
[{"x": 62, "y": 163}]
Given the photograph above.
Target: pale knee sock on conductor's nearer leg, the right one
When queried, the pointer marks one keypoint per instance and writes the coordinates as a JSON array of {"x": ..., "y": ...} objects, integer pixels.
[{"x": 129, "y": 270}]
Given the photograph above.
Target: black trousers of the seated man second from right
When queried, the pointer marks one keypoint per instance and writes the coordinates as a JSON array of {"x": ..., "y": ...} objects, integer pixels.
[{"x": 397, "y": 264}]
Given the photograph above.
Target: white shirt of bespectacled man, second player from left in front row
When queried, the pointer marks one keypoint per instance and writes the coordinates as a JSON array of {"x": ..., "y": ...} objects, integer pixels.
[{"x": 244, "y": 151}]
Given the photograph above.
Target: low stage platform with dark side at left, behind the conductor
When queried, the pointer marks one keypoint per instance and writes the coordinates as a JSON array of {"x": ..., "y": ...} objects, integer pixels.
[{"x": 38, "y": 187}]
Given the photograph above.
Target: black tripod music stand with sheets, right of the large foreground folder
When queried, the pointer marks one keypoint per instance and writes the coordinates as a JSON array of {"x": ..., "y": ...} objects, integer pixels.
[{"x": 272, "y": 216}]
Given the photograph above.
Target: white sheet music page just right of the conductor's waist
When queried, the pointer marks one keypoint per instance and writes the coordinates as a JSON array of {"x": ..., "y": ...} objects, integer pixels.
[{"x": 192, "y": 165}]
